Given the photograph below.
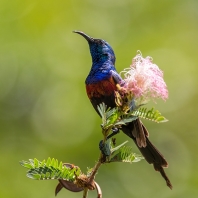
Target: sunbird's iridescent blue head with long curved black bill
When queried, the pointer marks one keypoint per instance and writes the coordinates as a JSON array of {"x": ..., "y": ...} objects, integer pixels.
[{"x": 100, "y": 50}]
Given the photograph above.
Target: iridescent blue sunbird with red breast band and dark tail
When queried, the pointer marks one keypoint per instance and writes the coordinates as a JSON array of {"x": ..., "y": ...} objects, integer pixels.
[{"x": 101, "y": 84}]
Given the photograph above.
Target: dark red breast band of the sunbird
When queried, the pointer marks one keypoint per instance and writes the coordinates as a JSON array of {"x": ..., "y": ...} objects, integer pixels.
[{"x": 101, "y": 88}]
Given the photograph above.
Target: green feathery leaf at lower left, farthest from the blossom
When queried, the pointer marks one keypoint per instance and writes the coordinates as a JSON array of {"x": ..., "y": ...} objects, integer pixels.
[{"x": 50, "y": 169}]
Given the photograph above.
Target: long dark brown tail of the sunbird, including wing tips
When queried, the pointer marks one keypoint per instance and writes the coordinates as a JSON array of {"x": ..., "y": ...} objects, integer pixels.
[{"x": 137, "y": 131}]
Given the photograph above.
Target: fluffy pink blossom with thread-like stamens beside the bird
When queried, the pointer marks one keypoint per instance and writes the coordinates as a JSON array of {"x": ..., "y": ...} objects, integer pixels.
[{"x": 145, "y": 80}]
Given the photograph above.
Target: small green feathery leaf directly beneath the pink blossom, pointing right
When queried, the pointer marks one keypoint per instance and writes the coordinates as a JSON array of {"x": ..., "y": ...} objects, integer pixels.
[{"x": 152, "y": 114}]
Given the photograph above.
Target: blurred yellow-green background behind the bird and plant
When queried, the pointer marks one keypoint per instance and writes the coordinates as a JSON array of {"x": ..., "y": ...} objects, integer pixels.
[{"x": 44, "y": 110}]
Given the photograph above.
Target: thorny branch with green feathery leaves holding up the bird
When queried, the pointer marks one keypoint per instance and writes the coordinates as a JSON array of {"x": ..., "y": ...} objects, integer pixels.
[{"x": 70, "y": 176}]
